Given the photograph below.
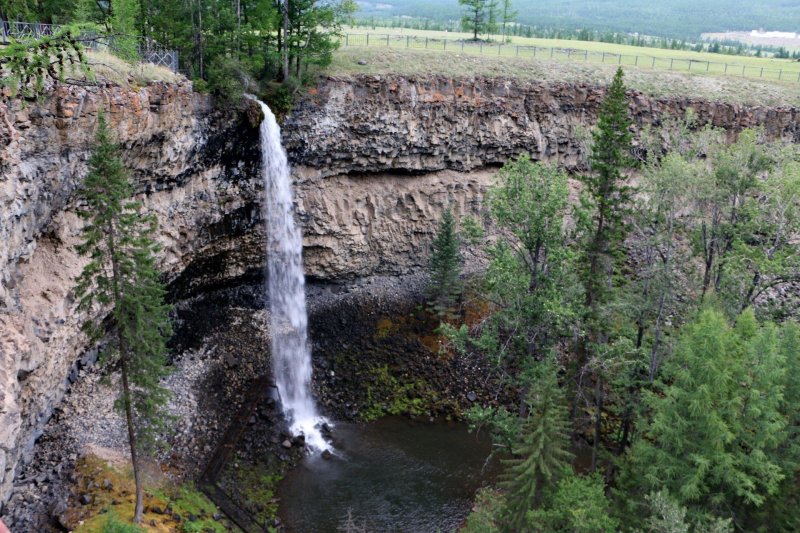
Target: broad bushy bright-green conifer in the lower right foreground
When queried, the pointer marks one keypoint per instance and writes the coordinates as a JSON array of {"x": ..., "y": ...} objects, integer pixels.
[{"x": 717, "y": 426}]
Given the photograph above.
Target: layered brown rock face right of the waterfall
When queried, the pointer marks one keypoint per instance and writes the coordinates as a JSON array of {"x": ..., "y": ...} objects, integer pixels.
[{"x": 378, "y": 158}]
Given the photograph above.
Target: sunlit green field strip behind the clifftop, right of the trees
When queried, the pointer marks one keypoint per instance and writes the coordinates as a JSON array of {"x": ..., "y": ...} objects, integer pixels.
[{"x": 702, "y": 63}]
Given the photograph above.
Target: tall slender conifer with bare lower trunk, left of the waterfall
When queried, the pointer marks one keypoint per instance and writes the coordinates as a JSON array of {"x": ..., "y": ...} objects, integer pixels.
[{"x": 121, "y": 276}]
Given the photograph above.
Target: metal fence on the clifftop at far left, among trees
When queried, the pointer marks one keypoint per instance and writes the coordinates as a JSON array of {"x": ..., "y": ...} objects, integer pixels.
[{"x": 142, "y": 49}]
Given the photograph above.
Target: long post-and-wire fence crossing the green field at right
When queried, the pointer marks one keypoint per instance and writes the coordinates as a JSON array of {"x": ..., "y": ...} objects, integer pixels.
[{"x": 789, "y": 74}]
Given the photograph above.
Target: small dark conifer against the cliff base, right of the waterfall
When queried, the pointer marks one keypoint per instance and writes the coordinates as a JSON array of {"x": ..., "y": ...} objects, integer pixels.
[{"x": 445, "y": 267}]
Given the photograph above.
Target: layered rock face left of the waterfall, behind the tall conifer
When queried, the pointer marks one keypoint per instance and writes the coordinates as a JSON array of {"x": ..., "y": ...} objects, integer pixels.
[{"x": 177, "y": 150}]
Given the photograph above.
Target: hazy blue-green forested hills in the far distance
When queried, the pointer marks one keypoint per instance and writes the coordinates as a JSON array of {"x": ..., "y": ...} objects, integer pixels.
[{"x": 670, "y": 18}]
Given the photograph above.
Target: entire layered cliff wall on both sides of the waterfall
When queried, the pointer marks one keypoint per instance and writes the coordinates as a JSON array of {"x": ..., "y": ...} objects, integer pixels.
[{"x": 375, "y": 161}]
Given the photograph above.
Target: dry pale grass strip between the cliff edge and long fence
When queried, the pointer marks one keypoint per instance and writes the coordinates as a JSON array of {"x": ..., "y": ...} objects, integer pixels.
[{"x": 384, "y": 61}]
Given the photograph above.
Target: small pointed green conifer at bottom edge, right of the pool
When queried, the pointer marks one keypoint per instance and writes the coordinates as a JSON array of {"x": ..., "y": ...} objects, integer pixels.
[{"x": 542, "y": 454}]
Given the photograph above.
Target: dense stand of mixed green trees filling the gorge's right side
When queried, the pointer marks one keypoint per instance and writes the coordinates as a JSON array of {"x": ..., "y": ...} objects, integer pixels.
[{"x": 651, "y": 320}]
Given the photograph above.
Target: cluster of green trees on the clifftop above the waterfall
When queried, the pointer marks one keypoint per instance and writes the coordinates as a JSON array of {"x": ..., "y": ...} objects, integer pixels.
[{"x": 232, "y": 44}]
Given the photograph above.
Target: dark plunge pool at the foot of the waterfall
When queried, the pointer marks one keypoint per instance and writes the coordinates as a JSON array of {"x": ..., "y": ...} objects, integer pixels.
[{"x": 393, "y": 475}]
